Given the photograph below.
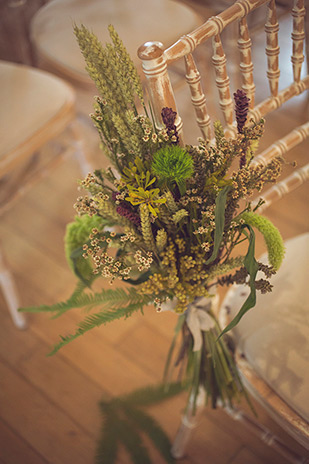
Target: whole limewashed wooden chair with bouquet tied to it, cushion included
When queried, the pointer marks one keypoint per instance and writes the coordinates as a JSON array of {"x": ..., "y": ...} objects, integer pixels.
[{"x": 263, "y": 360}]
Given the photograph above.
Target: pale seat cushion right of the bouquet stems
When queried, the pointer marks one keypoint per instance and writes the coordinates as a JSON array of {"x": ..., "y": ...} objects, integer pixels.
[{"x": 274, "y": 336}]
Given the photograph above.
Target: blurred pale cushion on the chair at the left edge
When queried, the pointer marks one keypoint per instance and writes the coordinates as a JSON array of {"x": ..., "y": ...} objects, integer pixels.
[{"x": 29, "y": 100}]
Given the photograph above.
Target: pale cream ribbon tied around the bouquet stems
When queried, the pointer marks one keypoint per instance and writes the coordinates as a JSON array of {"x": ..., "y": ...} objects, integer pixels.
[{"x": 197, "y": 317}]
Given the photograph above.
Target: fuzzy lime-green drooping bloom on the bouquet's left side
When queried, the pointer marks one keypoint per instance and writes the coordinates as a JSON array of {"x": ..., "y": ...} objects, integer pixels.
[{"x": 77, "y": 234}]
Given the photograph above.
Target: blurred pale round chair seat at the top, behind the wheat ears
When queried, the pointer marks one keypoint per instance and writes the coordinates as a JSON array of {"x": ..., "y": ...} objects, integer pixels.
[{"x": 136, "y": 21}]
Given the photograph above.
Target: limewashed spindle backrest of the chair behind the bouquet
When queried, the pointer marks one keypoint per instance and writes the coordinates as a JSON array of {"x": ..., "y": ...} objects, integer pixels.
[{"x": 156, "y": 60}]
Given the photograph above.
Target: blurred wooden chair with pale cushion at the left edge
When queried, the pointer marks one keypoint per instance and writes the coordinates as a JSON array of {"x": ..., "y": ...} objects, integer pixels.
[{"x": 37, "y": 109}]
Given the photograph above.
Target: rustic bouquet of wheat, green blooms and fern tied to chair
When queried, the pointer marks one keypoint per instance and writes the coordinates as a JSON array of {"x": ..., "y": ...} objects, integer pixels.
[{"x": 167, "y": 220}]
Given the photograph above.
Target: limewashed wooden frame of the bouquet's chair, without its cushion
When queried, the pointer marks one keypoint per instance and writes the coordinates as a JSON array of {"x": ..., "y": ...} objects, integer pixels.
[{"x": 156, "y": 61}]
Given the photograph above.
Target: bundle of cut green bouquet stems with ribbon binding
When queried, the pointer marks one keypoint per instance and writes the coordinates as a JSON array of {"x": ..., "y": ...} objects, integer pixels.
[{"x": 205, "y": 360}]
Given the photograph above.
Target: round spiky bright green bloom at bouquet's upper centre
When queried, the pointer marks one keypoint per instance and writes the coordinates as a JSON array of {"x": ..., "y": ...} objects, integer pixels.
[{"x": 172, "y": 165}]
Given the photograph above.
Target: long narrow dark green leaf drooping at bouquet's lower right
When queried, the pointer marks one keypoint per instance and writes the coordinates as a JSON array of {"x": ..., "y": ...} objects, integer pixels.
[{"x": 252, "y": 268}]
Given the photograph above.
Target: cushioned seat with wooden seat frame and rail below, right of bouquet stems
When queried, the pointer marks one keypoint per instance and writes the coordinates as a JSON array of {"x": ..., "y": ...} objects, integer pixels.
[{"x": 273, "y": 349}]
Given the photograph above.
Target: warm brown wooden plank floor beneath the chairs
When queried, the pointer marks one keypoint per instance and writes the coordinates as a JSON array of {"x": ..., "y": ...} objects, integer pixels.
[{"x": 49, "y": 406}]
